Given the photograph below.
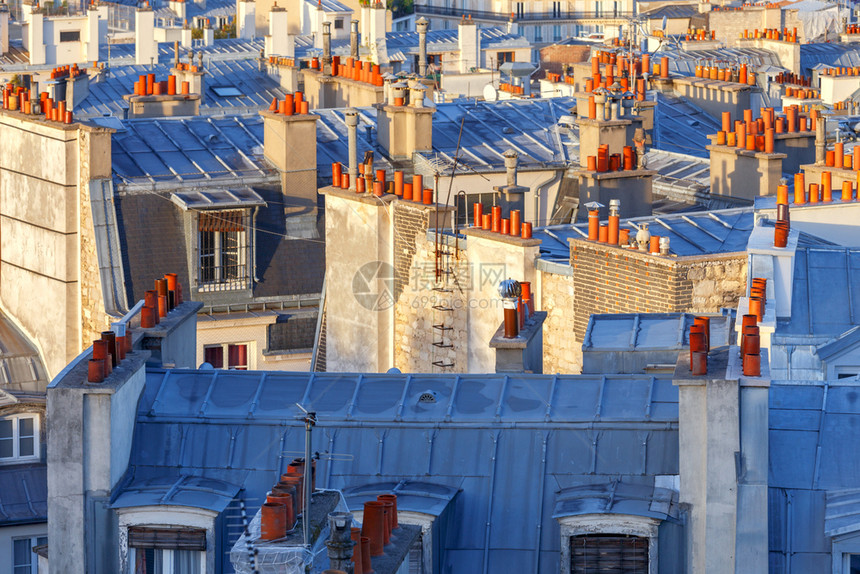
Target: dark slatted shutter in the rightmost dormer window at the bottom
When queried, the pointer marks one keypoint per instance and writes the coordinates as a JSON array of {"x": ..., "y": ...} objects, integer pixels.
[{"x": 608, "y": 554}]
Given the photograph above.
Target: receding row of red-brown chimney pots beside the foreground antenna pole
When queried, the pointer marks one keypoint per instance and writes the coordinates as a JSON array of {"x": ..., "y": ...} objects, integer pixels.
[{"x": 285, "y": 503}]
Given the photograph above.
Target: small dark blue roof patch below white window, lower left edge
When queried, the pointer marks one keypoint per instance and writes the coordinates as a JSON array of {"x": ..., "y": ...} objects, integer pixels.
[{"x": 23, "y": 494}]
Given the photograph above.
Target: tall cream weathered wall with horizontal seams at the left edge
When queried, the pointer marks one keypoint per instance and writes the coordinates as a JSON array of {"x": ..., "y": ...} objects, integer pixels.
[{"x": 47, "y": 244}]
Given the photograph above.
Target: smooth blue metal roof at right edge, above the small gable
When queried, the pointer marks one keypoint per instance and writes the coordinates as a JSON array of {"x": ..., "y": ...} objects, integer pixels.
[{"x": 819, "y": 273}]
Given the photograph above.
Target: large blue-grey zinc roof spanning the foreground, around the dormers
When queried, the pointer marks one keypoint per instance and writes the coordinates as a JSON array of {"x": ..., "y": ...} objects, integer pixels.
[{"x": 507, "y": 443}]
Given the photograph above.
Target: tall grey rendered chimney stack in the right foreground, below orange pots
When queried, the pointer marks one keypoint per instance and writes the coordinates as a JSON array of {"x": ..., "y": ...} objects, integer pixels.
[{"x": 723, "y": 452}]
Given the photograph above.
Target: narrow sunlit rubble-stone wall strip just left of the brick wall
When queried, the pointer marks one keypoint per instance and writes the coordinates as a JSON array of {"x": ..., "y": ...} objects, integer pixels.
[{"x": 562, "y": 350}]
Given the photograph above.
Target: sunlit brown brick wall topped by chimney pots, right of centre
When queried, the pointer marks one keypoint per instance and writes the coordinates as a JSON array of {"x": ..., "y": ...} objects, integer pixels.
[{"x": 609, "y": 279}]
